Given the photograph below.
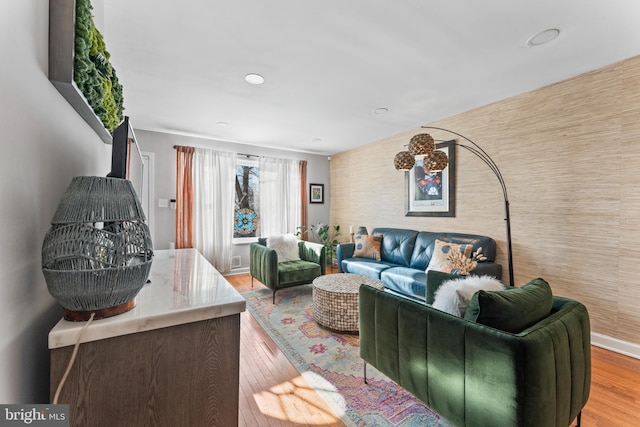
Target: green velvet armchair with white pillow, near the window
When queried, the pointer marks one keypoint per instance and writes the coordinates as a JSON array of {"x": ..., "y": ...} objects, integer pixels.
[{"x": 264, "y": 265}]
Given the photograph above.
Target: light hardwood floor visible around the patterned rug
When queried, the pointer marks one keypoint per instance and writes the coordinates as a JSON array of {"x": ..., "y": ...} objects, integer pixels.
[{"x": 272, "y": 392}]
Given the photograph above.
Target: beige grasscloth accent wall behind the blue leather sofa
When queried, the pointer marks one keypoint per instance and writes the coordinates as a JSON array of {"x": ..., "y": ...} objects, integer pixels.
[{"x": 570, "y": 156}]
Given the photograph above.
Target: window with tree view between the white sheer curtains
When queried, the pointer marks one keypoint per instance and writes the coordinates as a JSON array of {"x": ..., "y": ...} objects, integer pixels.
[{"x": 247, "y": 200}]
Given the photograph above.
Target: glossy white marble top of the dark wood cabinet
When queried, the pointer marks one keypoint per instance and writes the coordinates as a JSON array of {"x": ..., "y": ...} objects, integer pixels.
[{"x": 184, "y": 288}]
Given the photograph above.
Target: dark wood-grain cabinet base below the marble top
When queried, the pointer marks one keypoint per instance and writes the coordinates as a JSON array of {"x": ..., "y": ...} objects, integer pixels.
[{"x": 184, "y": 375}]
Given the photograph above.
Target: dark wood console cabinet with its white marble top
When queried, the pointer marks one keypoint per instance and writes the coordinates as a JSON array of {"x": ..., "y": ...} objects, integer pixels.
[{"x": 172, "y": 360}]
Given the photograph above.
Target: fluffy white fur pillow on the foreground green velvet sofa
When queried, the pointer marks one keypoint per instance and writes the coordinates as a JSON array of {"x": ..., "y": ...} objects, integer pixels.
[{"x": 453, "y": 296}]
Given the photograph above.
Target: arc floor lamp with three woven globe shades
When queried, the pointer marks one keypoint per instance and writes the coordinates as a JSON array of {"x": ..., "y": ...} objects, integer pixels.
[{"x": 424, "y": 145}]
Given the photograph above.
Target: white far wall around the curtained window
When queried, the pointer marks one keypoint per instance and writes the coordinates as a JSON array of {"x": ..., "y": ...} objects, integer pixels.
[{"x": 161, "y": 144}]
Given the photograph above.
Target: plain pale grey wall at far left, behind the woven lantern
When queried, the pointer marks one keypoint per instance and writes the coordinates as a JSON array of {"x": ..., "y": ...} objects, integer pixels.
[{"x": 44, "y": 143}]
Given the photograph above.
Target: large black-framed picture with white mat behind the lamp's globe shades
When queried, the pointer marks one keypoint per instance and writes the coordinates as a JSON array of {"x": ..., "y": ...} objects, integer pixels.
[{"x": 432, "y": 194}]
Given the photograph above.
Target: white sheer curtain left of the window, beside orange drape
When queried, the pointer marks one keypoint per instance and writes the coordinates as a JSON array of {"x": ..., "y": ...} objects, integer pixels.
[{"x": 213, "y": 201}]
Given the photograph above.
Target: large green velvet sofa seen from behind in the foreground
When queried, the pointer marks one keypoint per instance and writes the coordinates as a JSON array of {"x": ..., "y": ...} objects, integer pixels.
[{"x": 476, "y": 375}]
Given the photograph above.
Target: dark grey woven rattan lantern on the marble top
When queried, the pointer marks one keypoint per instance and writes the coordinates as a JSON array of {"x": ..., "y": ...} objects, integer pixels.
[{"x": 97, "y": 254}]
